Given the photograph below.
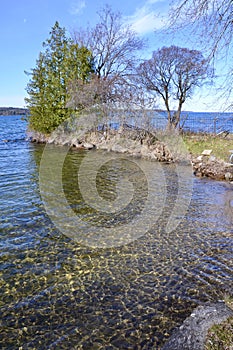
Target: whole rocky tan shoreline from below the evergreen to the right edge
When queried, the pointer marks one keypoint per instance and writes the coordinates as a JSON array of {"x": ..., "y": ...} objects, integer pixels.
[{"x": 139, "y": 143}]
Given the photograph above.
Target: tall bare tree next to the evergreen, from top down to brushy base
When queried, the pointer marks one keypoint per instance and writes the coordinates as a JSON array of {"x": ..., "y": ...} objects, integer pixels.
[{"x": 115, "y": 47}]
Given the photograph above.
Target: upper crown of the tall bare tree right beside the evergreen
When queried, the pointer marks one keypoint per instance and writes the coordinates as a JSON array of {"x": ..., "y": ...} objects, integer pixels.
[{"x": 113, "y": 44}]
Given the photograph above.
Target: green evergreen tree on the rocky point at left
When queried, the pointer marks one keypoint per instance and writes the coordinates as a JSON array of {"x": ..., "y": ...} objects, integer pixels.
[{"x": 61, "y": 63}]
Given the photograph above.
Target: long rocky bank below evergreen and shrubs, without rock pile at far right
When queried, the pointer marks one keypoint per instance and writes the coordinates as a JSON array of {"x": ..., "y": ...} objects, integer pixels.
[{"x": 129, "y": 140}]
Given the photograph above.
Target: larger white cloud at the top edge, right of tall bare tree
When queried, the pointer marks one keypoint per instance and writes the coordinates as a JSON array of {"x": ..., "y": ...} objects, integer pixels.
[{"x": 148, "y": 18}]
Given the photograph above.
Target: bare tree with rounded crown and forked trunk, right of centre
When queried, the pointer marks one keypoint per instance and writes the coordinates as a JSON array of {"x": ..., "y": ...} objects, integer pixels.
[{"x": 172, "y": 73}]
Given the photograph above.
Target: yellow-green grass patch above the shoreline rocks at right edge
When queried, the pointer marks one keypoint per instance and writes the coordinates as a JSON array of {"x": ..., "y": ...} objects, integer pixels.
[{"x": 220, "y": 145}]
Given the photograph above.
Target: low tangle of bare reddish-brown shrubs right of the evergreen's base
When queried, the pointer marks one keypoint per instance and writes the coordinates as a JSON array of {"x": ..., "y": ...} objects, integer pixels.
[{"x": 117, "y": 101}]
